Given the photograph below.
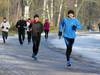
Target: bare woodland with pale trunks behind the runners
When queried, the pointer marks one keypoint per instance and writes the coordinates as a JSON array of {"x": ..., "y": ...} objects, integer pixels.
[{"x": 87, "y": 11}]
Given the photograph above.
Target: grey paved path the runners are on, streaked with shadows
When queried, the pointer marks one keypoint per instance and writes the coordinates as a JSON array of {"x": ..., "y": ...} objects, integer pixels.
[{"x": 16, "y": 60}]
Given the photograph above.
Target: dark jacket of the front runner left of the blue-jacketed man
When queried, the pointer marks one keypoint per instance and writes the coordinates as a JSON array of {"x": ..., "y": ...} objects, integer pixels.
[{"x": 37, "y": 28}]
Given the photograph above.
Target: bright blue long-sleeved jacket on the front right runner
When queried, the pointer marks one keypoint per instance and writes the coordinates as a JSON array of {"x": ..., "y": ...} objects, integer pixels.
[{"x": 66, "y": 27}]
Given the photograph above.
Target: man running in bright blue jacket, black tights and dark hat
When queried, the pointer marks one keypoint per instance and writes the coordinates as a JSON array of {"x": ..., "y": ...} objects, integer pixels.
[{"x": 68, "y": 27}]
